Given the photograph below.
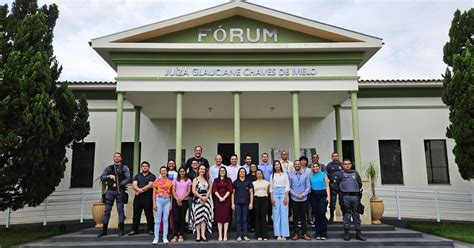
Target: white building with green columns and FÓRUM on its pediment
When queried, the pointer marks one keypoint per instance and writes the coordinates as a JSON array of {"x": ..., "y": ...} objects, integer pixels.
[{"x": 247, "y": 79}]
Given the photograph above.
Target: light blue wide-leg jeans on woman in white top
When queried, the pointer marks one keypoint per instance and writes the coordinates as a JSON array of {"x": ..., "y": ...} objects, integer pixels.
[{"x": 280, "y": 213}]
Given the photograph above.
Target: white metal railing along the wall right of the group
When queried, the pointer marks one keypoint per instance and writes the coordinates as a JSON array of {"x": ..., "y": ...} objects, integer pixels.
[{"x": 406, "y": 202}]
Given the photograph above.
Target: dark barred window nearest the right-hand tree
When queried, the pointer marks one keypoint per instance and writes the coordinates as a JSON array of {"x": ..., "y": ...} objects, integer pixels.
[{"x": 436, "y": 161}]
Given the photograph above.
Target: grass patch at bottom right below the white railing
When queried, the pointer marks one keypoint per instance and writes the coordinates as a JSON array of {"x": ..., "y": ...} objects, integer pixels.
[{"x": 458, "y": 231}]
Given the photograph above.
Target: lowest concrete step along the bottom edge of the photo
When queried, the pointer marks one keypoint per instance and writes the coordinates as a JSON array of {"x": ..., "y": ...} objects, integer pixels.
[{"x": 375, "y": 242}]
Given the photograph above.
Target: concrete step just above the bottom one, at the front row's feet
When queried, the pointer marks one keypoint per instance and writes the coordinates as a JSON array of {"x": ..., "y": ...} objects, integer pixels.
[{"x": 79, "y": 237}]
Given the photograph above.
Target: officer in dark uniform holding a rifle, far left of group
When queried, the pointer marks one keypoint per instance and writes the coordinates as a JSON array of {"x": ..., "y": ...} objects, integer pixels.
[{"x": 117, "y": 176}]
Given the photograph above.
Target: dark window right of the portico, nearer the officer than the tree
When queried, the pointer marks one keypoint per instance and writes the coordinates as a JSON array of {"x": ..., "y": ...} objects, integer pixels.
[{"x": 390, "y": 162}]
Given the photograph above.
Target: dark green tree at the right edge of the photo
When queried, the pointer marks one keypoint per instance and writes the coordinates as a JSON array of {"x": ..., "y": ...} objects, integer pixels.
[{"x": 458, "y": 90}]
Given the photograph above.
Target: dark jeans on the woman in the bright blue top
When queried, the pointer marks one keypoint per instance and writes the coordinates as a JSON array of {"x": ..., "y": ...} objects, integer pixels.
[{"x": 319, "y": 205}]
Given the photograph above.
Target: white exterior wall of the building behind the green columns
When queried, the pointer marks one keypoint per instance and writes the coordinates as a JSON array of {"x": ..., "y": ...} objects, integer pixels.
[{"x": 410, "y": 120}]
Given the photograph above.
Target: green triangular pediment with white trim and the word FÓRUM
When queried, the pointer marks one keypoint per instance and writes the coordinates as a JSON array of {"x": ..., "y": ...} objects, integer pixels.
[{"x": 234, "y": 27}]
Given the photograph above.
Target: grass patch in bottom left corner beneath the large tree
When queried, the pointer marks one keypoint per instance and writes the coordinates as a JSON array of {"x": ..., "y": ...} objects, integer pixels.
[{"x": 20, "y": 235}]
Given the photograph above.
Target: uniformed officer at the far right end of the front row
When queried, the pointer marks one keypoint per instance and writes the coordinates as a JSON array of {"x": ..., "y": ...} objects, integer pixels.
[{"x": 349, "y": 184}]
